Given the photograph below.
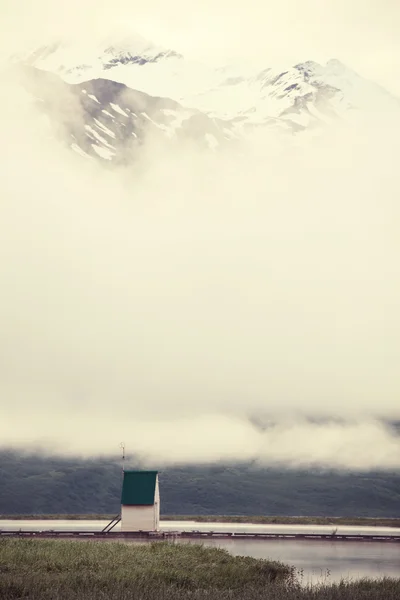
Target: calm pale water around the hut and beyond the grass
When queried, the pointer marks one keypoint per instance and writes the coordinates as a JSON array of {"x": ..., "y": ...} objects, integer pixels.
[{"x": 330, "y": 561}]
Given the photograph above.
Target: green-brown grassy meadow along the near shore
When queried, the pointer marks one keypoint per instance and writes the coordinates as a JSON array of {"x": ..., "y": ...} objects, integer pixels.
[{"x": 72, "y": 570}]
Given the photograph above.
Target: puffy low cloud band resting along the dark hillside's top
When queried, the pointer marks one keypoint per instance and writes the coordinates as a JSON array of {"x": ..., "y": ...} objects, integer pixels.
[{"x": 208, "y": 438}]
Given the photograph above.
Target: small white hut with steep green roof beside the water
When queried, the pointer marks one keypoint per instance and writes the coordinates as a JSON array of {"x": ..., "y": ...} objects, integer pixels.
[{"x": 140, "y": 501}]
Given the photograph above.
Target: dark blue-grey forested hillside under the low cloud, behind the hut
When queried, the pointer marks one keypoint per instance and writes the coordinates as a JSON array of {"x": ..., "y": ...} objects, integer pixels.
[{"x": 35, "y": 484}]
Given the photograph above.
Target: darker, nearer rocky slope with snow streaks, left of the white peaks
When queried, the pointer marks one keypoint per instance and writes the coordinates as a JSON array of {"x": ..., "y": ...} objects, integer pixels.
[{"x": 107, "y": 120}]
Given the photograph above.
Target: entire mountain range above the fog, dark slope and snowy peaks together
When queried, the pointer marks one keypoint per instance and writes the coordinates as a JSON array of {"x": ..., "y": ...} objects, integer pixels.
[{"x": 124, "y": 89}]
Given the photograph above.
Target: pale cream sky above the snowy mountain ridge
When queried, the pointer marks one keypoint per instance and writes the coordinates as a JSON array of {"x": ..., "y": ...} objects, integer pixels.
[{"x": 361, "y": 33}]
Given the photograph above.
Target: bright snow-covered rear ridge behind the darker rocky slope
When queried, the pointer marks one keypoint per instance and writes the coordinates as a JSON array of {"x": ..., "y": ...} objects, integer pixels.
[{"x": 299, "y": 96}]
